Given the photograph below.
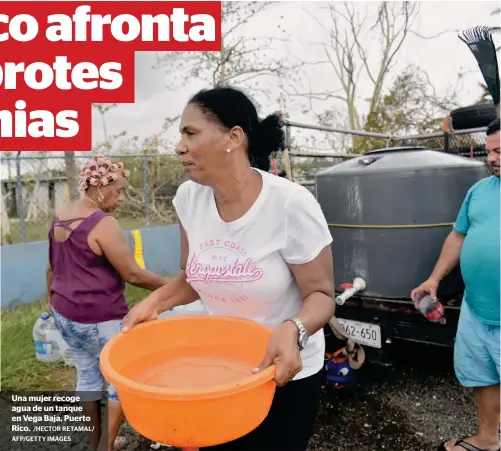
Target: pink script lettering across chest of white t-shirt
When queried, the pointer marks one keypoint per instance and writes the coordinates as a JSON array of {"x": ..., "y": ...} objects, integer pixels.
[{"x": 220, "y": 271}]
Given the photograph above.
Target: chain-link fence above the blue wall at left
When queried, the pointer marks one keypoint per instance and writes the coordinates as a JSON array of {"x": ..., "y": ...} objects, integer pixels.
[{"x": 36, "y": 187}]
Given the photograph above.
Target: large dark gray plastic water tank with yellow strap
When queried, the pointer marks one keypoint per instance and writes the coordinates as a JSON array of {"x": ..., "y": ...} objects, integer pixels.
[{"x": 389, "y": 212}]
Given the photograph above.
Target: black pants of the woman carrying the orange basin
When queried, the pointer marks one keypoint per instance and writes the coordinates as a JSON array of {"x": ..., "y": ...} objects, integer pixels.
[{"x": 290, "y": 422}]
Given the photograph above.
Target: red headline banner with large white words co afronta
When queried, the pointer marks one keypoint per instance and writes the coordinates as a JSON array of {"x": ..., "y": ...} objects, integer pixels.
[{"x": 58, "y": 58}]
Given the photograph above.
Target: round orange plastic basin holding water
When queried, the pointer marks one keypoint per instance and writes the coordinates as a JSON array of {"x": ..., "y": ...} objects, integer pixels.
[{"x": 187, "y": 381}]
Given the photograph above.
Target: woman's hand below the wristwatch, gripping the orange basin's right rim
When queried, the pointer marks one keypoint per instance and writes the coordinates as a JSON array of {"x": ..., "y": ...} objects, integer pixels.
[{"x": 283, "y": 351}]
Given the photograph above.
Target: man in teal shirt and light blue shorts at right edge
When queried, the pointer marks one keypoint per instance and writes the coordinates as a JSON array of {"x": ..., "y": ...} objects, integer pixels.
[{"x": 474, "y": 244}]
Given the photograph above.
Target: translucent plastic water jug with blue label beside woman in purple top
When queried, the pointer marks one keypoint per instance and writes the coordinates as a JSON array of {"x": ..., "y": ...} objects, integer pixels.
[{"x": 49, "y": 344}]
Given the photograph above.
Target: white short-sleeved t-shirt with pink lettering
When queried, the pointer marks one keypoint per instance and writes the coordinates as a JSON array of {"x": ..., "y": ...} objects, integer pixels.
[{"x": 240, "y": 268}]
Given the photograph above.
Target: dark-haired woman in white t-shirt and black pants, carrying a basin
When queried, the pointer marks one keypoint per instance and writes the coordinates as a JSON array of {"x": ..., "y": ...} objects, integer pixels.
[{"x": 255, "y": 246}]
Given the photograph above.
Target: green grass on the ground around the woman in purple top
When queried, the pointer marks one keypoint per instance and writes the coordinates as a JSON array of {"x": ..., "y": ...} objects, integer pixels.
[{"x": 20, "y": 369}]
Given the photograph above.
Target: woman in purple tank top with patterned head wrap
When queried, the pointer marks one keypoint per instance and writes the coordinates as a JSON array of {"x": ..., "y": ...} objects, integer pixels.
[{"x": 89, "y": 263}]
